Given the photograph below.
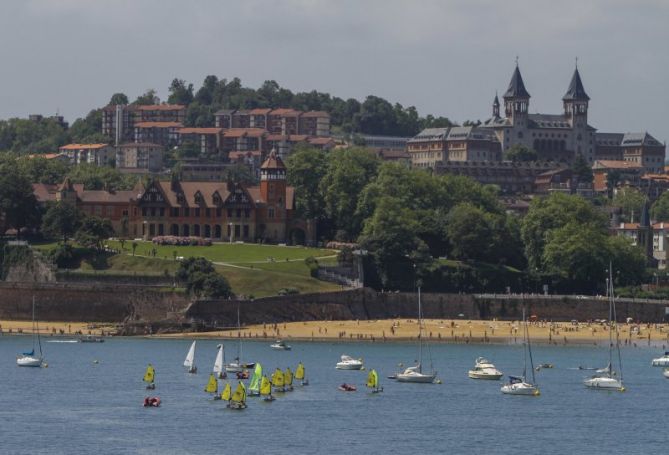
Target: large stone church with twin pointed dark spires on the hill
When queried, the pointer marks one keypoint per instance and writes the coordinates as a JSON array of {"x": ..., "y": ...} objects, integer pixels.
[{"x": 555, "y": 137}]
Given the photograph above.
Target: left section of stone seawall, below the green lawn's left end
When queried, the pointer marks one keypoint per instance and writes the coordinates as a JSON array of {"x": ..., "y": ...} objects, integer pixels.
[{"x": 92, "y": 302}]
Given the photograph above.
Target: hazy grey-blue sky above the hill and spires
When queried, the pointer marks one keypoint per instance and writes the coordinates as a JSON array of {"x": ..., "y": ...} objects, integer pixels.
[{"x": 445, "y": 57}]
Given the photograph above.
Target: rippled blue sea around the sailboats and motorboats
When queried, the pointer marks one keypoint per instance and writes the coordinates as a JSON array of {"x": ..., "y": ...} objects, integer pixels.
[{"x": 77, "y": 406}]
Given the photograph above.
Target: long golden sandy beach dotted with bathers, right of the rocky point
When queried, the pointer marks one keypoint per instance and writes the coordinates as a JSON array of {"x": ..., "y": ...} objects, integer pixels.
[{"x": 453, "y": 331}]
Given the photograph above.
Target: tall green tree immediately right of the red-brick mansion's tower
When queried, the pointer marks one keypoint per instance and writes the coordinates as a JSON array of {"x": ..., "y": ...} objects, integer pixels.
[{"x": 306, "y": 168}]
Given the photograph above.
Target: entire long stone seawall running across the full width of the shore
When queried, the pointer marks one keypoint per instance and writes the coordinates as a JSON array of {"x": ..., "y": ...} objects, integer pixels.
[{"x": 104, "y": 302}]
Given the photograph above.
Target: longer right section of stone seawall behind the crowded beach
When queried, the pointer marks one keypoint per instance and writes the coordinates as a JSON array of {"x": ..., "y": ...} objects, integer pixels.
[{"x": 367, "y": 304}]
